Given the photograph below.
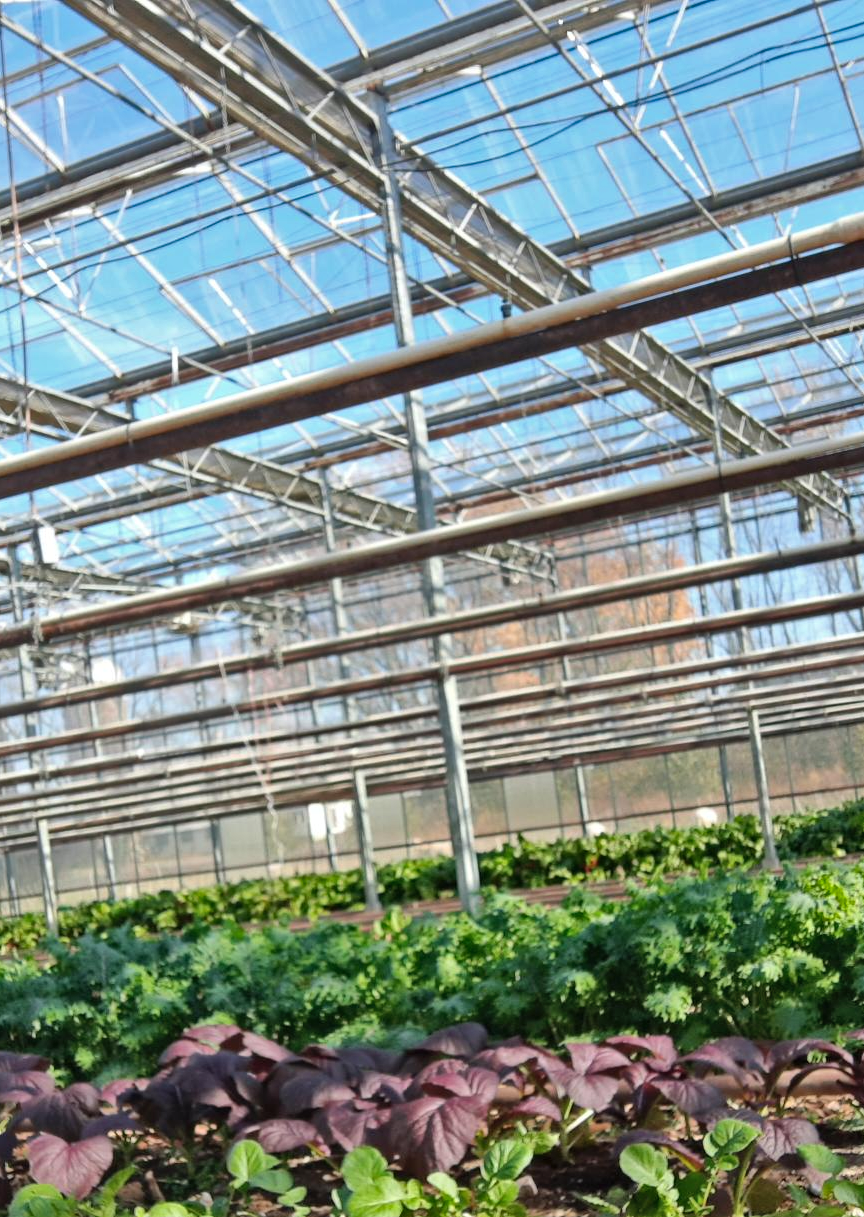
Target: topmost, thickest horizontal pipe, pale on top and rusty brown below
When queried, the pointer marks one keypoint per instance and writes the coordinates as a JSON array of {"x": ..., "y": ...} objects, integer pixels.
[{"x": 528, "y": 335}]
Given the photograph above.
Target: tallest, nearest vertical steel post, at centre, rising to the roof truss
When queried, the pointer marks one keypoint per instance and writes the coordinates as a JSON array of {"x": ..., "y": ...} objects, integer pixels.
[{"x": 458, "y": 792}]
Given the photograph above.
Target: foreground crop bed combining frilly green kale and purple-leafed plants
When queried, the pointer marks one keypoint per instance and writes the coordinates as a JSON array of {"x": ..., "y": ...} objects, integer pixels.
[{"x": 695, "y": 1051}]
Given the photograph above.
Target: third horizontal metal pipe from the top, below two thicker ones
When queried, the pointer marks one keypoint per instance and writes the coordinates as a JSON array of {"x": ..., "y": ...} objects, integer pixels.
[{"x": 469, "y": 619}]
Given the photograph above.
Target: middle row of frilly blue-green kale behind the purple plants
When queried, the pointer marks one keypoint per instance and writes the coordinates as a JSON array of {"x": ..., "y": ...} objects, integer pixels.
[{"x": 755, "y": 955}]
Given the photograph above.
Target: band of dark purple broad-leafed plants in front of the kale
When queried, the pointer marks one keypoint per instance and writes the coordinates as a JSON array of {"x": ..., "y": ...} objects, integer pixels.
[{"x": 423, "y": 1109}]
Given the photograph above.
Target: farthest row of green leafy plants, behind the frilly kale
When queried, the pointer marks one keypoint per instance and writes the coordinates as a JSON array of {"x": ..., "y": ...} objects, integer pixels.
[{"x": 646, "y": 855}]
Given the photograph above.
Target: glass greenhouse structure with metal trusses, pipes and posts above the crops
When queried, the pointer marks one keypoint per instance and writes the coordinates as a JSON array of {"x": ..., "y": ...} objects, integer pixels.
[{"x": 225, "y": 655}]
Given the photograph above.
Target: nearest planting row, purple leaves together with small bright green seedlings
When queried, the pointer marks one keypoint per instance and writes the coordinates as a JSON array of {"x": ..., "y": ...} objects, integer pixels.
[{"x": 395, "y": 1120}]
